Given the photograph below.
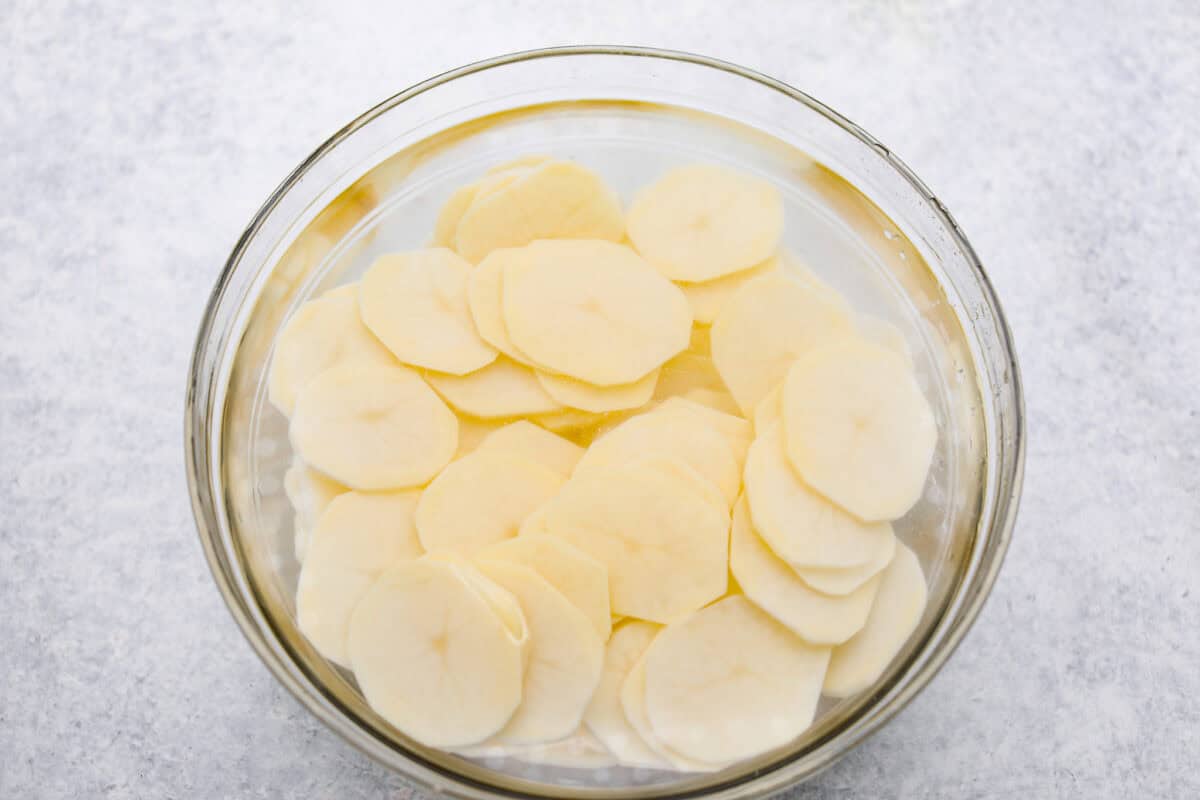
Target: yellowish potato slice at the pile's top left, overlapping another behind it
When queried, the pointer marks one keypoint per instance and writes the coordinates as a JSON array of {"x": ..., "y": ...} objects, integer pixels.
[{"x": 556, "y": 200}]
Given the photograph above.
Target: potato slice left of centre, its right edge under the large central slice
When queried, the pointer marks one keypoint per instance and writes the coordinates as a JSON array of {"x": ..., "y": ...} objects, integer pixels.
[{"x": 481, "y": 500}]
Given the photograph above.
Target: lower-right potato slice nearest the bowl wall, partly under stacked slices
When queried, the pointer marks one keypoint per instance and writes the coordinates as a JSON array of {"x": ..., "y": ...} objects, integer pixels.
[{"x": 898, "y": 607}]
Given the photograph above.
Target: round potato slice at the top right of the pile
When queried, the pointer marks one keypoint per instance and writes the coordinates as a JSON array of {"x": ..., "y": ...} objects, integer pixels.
[{"x": 703, "y": 221}]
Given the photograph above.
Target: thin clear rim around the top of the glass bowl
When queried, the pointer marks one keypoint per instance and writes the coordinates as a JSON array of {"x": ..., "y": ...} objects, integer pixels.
[{"x": 787, "y": 772}]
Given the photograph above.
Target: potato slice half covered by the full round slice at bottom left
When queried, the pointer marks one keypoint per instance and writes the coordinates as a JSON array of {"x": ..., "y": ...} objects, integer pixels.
[{"x": 357, "y": 538}]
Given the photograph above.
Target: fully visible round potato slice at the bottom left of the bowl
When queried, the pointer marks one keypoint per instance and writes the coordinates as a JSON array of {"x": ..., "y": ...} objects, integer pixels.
[{"x": 434, "y": 658}]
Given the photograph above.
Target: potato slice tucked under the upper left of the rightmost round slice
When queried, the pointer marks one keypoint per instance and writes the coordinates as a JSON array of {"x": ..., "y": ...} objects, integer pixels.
[{"x": 766, "y": 326}]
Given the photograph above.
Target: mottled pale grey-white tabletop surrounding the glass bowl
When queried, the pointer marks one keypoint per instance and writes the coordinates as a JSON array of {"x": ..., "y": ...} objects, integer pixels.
[{"x": 137, "y": 139}]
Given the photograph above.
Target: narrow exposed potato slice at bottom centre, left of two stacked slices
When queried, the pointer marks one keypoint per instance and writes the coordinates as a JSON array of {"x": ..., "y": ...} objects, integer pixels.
[{"x": 605, "y": 717}]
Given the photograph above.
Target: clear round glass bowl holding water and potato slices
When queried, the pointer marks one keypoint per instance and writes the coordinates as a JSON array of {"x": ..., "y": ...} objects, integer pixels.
[{"x": 856, "y": 215}]
